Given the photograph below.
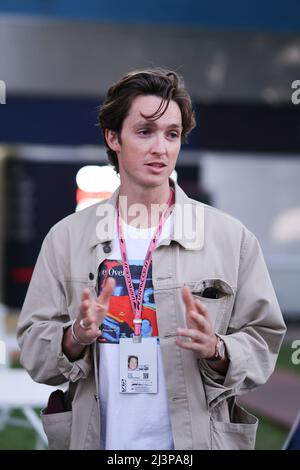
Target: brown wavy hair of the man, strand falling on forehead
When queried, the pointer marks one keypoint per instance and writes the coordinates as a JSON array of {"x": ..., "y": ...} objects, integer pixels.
[{"x": 166, "y": 84}]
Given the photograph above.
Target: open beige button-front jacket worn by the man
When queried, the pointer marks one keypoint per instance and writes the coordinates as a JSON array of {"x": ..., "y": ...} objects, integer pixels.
[{"x": 219, "y": 251}]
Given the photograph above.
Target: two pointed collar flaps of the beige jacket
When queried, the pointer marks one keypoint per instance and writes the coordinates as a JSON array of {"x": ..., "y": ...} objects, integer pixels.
[{"x": 188, "y": 228}]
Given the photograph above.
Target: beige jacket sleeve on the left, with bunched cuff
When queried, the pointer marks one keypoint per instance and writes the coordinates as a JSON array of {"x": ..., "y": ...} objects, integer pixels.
[{"x": 43, "y": 320}]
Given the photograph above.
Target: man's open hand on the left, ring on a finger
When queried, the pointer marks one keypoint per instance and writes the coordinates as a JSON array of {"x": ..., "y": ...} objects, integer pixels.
[{"x": 92, "y": 313}]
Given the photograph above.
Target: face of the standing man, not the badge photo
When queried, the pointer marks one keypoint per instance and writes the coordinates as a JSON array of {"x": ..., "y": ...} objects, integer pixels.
[{"x": 148, "y": 150}]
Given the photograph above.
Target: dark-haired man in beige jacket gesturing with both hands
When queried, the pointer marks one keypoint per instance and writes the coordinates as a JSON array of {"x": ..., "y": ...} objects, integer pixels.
[{"x": 154, "y": 274}]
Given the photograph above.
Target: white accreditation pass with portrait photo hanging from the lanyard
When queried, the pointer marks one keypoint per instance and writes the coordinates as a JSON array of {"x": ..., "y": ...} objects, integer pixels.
[{"x": 138, "y": 365}]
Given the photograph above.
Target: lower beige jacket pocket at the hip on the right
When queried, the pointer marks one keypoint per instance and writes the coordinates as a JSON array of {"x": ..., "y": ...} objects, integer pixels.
[{"x": 239, "y": 434}]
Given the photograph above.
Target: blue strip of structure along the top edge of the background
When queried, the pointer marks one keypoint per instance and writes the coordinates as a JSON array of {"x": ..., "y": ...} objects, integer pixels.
[{"x": 252, "y": 15}]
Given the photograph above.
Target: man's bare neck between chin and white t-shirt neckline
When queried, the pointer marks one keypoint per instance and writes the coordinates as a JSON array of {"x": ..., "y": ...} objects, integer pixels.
[{"x": 143, "y": 208}]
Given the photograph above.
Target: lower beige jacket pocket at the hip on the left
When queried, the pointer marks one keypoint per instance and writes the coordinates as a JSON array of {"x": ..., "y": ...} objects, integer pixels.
[{"x": 57, "y": 427}]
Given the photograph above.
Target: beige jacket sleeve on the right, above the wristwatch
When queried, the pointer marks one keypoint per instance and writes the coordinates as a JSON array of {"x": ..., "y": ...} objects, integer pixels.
[{"x": 255, "y": 333}]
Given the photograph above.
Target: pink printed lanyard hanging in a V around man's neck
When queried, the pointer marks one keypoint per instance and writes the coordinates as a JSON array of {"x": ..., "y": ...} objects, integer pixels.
[{"x": 137, "y": 302}]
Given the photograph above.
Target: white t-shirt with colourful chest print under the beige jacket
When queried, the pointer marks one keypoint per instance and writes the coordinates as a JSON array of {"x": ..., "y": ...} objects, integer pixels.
[{"x": 141, "y": 420}]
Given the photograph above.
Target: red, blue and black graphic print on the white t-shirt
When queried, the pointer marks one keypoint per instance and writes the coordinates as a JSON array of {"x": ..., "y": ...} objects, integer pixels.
[{"x": 118, "y": 322}]
